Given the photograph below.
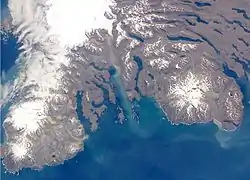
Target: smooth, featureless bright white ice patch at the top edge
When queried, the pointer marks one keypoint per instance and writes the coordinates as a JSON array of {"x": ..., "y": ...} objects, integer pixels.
[{"x": 70, "y": 20}]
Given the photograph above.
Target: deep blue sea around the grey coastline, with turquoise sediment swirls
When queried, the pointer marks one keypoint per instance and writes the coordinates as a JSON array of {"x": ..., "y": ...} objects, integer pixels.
[{"x": 151, "y": 150}]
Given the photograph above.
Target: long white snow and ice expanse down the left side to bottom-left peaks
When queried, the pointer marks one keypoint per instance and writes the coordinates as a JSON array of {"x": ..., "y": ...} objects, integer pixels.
[{"x": 46, "y": 29}]
